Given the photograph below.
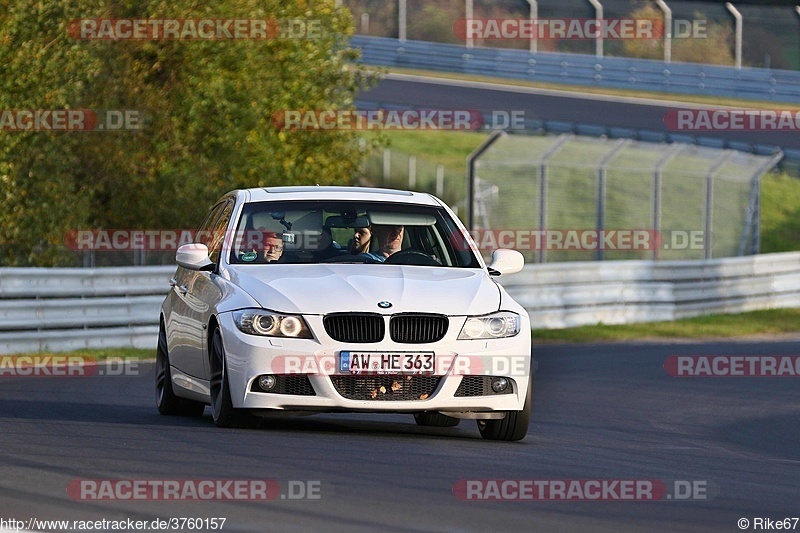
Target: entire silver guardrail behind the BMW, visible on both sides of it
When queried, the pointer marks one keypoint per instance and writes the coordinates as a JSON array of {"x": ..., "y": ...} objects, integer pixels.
[{"x": 68, "y": 309}]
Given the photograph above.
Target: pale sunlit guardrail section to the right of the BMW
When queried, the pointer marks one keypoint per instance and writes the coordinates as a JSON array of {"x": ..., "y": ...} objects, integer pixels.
[{"x": 617, "y": 292}]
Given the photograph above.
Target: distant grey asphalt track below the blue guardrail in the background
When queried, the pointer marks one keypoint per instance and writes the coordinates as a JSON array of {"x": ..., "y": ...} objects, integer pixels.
[{"x": 424, "y": 93}]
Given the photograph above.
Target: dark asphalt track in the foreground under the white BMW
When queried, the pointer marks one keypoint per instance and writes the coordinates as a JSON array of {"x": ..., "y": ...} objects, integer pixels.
[{"x": 600, "y": 412}]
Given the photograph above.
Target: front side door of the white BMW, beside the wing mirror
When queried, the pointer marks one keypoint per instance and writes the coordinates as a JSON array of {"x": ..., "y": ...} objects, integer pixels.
[{"x": 203, "y": 292}]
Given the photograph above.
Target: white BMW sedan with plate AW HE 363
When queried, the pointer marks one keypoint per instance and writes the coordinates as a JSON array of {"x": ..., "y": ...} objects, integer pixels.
[{"x": 302, "y": 300}]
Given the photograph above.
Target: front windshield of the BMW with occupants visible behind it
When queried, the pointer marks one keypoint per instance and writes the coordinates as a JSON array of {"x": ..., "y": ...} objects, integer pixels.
[{"x": 348, "y": 232}]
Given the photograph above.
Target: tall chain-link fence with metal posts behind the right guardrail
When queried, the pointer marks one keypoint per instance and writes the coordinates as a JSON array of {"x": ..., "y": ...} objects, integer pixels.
[{"x": 571, "y": 198}]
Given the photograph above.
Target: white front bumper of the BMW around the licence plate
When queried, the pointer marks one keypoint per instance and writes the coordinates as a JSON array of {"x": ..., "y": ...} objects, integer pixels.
[{"x": 250, "y": 356}]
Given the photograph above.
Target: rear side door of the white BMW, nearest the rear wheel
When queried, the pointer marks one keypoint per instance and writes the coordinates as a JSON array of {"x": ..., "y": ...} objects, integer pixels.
[{"x": 184, "y": 331}]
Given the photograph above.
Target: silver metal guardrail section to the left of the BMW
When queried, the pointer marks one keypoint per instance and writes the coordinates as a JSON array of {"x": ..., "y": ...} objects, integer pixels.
[{"x": 63, "y": 309}]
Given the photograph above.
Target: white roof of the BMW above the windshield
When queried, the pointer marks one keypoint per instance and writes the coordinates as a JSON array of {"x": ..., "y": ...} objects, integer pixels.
[{"x": 366, "y": 194}]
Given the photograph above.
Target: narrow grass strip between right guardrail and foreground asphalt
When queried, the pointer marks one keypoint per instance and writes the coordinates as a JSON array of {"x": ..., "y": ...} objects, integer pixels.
[{"x": 767, "y": 322}]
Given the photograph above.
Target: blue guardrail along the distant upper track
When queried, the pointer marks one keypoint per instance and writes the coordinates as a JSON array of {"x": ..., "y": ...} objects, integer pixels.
[{"x": 585, "y": 70}]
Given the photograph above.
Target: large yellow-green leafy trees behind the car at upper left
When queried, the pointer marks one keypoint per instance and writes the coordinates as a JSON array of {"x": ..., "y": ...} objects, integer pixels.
[{"x": 208, "y": 110}]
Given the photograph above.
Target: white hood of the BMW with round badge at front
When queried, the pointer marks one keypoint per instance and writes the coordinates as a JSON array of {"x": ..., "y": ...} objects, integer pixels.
[{"x": 322, "y": 289}]
